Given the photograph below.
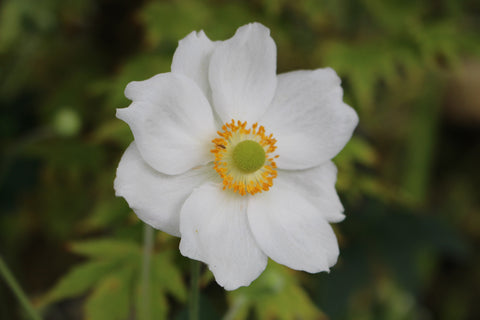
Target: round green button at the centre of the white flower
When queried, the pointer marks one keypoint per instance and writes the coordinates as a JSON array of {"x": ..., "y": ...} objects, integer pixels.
[{"x": 248, "y": 156}]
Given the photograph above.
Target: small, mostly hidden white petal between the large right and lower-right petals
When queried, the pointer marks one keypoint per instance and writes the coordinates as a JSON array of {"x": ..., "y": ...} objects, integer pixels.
[{"x": 317, "y": 185}]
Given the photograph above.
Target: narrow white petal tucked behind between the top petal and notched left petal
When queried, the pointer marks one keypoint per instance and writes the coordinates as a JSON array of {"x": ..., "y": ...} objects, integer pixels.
[{"x": 192, "y": 59}]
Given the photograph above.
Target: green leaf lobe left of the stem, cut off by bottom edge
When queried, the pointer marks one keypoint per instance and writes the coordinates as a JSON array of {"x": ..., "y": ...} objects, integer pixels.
[{"x": 111, "y": 299}]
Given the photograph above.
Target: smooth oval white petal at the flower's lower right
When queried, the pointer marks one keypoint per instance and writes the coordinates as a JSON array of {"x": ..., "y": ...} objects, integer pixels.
[{"x": 291, "y": 231}]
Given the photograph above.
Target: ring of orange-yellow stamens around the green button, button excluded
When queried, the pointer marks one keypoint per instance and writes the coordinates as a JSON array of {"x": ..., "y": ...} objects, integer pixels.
[{"x": 233, "y": 177}]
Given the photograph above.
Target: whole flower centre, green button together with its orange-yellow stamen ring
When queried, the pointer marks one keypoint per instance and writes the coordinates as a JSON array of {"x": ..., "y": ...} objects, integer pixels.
[{"x": 244, "y": 157}]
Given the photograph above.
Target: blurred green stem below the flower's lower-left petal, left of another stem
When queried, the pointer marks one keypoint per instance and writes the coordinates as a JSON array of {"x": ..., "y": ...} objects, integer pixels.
[{"x": 148, "y": 240}]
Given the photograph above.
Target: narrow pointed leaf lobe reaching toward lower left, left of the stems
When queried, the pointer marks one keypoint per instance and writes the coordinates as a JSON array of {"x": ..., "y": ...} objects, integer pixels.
[{"x": 78, "y": 280}]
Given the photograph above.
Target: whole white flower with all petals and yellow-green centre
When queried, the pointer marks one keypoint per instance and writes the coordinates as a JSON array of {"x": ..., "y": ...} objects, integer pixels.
[{"x": 190, "y": 172}]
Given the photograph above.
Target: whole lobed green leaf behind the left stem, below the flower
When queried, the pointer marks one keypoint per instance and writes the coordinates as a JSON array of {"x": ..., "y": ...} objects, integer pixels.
[{"x": 114, "y": 274}]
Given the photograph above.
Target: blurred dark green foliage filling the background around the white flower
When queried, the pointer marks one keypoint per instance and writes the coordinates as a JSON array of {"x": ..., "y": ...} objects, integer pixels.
[{"x": 409, "y": 178}]
